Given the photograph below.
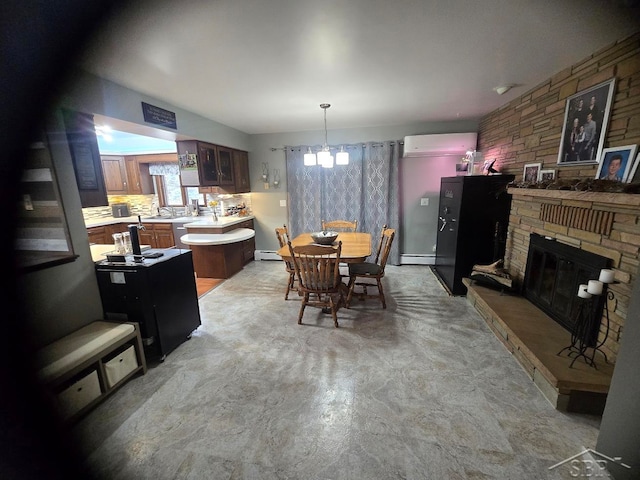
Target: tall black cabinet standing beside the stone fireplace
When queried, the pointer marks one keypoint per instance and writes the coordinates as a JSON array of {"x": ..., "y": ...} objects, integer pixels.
[{"x": 472, "y": 227}]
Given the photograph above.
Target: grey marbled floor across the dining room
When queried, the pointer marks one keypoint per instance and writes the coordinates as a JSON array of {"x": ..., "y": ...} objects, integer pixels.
[{"x": 422, "y": 390}]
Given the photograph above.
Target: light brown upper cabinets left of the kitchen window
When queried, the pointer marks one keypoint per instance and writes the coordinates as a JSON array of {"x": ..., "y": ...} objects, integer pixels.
[{"x": 126, "y": 176}]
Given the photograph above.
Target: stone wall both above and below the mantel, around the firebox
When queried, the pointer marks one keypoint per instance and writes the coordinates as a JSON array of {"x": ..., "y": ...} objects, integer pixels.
[{"x": 529, "y": 129}]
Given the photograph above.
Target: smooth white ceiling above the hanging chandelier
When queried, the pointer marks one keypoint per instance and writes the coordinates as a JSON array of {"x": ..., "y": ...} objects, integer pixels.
[{"x": 264, "y": 66}]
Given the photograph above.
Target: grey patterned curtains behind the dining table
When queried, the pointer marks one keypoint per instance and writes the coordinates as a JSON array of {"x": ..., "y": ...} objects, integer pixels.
[{"x": 366, "y": 190}]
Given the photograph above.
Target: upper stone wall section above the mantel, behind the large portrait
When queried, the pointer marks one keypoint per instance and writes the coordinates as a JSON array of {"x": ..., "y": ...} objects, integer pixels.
[{"x": 529, "y": 128}]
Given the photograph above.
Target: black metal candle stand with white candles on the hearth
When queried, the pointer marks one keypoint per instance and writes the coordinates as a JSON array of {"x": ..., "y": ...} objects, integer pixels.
[{"x": 585, "y": 320}]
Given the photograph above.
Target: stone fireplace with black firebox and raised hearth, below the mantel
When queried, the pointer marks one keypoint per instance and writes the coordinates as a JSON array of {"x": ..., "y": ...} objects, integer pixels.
[{"x": 603, "y": 231}]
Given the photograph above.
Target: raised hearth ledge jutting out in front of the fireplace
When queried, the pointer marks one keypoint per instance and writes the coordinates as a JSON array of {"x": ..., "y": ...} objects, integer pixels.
[{"x": 534, "y": 339}]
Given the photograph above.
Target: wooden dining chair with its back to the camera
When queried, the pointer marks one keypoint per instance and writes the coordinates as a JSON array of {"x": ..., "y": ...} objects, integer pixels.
[{"x": 319, "y": 280}]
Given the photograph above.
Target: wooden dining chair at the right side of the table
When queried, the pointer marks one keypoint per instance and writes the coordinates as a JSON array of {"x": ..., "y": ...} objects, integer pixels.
[{"x": 363, "y": 274}]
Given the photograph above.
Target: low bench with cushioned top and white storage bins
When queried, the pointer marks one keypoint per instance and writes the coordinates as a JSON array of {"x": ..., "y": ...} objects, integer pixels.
[{"x": 83, "y": 368}]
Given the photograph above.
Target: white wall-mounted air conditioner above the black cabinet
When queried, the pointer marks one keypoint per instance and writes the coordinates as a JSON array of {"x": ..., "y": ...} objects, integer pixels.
[{"x": 439, "y": 144}]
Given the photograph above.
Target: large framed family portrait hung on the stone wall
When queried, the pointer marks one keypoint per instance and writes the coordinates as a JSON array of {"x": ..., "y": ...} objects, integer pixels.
[{"x": 586, "y": 118}]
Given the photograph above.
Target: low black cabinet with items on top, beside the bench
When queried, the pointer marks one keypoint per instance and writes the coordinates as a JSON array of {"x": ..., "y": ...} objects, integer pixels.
[{"x": 159, "y": 293}]
